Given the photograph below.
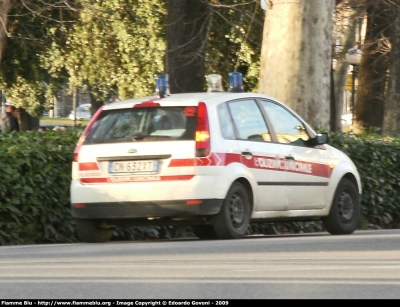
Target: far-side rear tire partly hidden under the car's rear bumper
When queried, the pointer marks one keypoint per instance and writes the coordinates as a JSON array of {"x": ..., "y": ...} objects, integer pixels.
[{"x": 89, "y": 231}]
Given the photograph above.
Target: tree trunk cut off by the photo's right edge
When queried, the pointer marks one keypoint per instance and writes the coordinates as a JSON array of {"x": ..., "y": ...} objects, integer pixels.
[{"x": 391, "y": 121}]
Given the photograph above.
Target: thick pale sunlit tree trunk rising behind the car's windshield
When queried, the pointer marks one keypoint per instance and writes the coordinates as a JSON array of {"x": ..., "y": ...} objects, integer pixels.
[{"x": 296, "y": 57}]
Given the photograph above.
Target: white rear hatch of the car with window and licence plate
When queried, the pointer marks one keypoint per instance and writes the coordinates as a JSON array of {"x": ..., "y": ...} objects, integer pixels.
[{"x": 148, "y": 142}]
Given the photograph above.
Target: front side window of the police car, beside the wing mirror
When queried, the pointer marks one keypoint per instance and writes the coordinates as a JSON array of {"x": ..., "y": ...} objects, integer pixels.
[{"x": 289, "y": 129}]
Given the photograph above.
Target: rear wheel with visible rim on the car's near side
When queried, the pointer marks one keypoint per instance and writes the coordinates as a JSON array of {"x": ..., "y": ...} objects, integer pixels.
[{"x": 233, "y": 219}]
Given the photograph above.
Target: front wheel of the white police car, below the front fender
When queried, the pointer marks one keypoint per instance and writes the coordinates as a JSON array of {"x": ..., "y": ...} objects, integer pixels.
[{"x": 345, "y": 211}]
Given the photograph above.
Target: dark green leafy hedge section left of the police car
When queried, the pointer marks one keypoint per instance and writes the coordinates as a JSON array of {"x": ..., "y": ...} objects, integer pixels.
[{"x": 35, "y": 172}]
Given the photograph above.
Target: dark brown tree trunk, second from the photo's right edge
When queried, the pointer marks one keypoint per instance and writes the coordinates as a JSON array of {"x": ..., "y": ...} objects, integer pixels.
[{"x": 368, "y": 111}]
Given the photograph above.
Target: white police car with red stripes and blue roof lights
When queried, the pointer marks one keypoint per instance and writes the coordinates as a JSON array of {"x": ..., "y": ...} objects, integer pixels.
[{"x": 214, "y": 160}]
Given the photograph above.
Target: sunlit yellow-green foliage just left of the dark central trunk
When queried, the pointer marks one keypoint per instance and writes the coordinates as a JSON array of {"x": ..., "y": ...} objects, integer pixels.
[{"x": 115, "y": 48}]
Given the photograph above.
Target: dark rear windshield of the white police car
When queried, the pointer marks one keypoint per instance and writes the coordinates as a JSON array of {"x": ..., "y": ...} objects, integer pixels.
[{"x": 143, "y": 124}]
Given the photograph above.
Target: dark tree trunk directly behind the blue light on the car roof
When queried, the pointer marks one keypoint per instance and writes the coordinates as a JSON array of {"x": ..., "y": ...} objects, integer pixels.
[{"x": 186, "y": 40}]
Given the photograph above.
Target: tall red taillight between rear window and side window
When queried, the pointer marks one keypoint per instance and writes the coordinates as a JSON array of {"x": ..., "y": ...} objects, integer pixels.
[{"x": 202, "y": 132}]
